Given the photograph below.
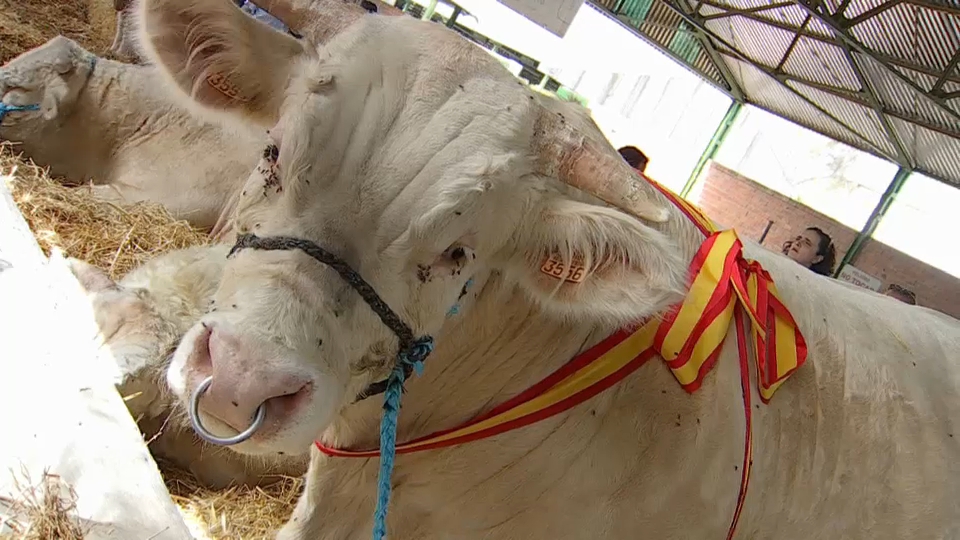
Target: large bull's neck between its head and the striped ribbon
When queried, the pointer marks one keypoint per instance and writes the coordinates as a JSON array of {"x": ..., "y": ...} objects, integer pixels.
[{"x": 500, "y": 346}]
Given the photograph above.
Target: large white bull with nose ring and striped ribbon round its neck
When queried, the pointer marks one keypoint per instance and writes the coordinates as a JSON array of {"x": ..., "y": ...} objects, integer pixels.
[{"x": 423, "y": 164}]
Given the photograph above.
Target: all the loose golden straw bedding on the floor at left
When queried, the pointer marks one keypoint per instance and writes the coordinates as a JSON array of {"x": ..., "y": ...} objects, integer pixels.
[{"x": 115, "y": 239}]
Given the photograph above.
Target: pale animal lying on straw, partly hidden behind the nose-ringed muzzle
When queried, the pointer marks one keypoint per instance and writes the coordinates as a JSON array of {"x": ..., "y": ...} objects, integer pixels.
[{"x": 142, "y": 318}]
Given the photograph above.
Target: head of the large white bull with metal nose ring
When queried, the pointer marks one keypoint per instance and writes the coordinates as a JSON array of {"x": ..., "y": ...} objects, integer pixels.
[{"x": 416, "y": 158}]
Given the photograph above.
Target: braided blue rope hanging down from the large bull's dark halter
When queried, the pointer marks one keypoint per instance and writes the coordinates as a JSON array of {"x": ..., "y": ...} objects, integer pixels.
[{"x": 413, "y": 357}]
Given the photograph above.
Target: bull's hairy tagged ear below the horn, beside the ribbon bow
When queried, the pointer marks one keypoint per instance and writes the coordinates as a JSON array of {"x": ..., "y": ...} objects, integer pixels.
[{"x": 594, "y": 262}]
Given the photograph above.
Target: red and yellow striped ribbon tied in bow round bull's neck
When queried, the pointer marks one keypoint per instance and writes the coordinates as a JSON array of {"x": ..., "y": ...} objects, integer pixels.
[{"x": 723, "y": 286}]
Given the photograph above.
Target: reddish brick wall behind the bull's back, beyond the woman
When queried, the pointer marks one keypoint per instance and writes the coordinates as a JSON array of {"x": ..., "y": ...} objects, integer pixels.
[{"x": 732, "y": 200}]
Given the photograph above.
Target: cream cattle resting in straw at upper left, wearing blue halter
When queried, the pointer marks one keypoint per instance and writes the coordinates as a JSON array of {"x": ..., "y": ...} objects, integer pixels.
[{"x": 111, "y": 123}]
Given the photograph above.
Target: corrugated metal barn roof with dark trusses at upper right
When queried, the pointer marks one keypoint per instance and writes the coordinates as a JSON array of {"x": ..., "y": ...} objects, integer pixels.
[{"x": 880, "y": 75}]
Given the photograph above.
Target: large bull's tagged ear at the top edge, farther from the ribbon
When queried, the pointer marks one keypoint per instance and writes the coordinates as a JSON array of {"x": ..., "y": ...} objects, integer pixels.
[{"x": 218, "y": 57}]
